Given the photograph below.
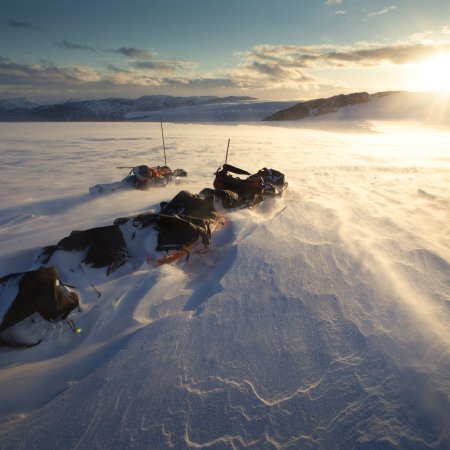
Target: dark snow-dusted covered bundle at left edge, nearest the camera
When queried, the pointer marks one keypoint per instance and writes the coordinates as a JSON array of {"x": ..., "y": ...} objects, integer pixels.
[{"x": 29, "y": 302}]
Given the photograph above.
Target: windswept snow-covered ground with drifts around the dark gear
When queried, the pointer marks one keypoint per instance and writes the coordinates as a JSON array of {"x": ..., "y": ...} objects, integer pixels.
[{"x": 316, "y": 320}]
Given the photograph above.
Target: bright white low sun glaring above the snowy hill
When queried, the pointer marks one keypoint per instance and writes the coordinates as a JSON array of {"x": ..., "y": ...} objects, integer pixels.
[{"x": 434, "y": 74}]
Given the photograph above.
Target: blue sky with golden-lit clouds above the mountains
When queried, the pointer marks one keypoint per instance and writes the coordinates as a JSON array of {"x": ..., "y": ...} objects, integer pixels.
[{"x": 285, "y": 50}]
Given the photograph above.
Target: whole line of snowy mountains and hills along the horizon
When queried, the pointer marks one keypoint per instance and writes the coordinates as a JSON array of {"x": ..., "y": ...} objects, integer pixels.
[{"x": 391, "y": 105}]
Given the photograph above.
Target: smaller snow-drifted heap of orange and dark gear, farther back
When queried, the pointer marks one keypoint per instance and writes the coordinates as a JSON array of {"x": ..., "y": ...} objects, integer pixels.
[{"x": 141, "y": 177}]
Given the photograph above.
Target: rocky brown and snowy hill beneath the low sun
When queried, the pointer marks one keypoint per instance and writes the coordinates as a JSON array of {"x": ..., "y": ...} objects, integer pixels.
[{"x": 427, "y": 107}]
